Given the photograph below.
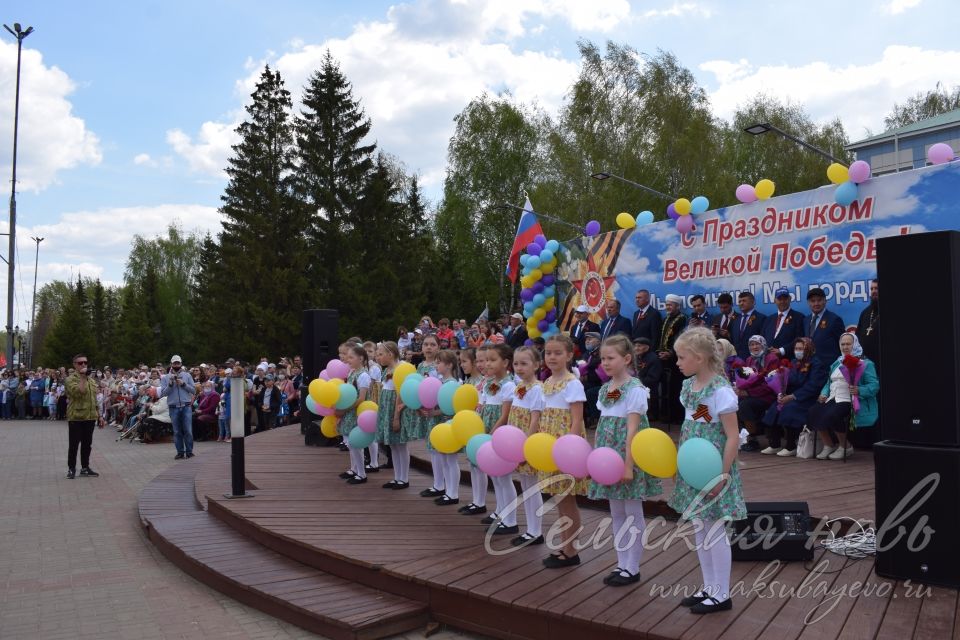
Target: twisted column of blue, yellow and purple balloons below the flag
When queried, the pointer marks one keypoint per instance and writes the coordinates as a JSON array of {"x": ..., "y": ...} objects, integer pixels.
[{"x": 539, "y": 293}]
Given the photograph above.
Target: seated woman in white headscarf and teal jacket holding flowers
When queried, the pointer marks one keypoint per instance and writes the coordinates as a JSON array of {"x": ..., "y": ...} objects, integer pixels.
[{"x": 850, "y": 392}]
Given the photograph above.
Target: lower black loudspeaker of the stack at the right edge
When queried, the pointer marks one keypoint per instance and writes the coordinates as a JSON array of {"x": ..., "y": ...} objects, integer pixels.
[{"x": 918, "y": 508}]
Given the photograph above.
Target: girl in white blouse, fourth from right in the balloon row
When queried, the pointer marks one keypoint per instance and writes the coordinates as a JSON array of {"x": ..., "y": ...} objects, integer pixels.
[{"x": 525, "y": 410}]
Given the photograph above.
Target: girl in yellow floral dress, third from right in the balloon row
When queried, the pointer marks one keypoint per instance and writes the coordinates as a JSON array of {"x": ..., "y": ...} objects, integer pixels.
[{"x": 563, "y": 414}]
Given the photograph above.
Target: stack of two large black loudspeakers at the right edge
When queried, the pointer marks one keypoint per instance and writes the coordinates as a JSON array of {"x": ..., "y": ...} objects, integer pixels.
[{"x": 917, "y": 465}]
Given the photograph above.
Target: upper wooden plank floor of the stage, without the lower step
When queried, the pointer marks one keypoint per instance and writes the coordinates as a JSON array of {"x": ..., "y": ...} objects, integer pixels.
[{"x": 403, "y": 545}]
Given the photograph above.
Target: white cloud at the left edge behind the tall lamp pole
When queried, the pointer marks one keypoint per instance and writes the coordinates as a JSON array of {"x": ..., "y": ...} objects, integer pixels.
[{"x": 51, "y": 138}]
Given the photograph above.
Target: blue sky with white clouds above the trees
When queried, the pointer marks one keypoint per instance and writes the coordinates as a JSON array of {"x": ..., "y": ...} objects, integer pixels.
[{"x": 127, "y": 108}]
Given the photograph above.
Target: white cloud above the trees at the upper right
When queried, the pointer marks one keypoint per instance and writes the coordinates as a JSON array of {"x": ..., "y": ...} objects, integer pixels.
[{"x": 861, "y": 95}]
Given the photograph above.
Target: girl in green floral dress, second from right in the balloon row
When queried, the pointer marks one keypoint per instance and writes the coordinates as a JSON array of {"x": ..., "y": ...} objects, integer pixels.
[{"x": 622, "y": 403}]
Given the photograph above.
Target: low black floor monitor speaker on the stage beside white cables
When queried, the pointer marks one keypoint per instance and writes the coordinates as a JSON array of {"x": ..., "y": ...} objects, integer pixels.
[{"x": 773, "y": 531}]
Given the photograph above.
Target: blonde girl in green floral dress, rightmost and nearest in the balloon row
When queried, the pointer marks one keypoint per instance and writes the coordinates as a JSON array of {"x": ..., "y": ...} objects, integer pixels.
[{"x": 711, "y": 413}]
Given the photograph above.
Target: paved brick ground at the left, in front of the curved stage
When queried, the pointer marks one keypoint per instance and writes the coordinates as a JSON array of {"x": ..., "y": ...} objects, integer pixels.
[{"x": 75, "y": 562}]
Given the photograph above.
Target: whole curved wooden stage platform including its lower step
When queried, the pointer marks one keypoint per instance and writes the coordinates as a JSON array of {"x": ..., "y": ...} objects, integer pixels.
[{"x": 363, "y": 562}]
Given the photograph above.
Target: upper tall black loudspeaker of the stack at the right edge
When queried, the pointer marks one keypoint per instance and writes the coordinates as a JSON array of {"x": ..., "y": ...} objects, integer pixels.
[{"x": 920, "y": 341}]
